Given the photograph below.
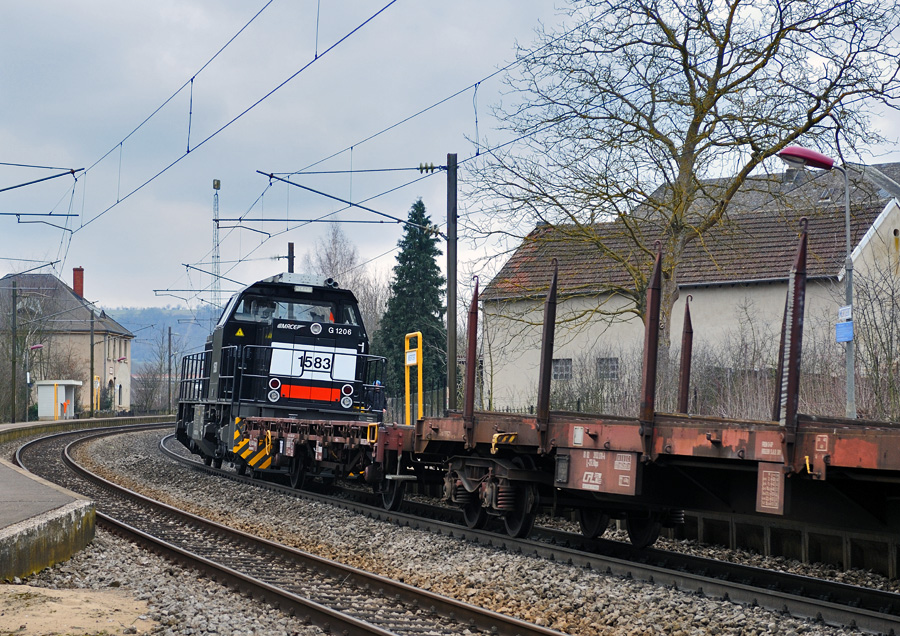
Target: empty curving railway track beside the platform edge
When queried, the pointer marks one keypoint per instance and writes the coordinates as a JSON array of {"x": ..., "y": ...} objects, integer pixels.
[{"x": 336, "y": 597}]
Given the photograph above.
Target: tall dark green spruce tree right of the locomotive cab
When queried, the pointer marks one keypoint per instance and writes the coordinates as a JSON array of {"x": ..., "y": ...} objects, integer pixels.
[{"x": 415, "y": 304}]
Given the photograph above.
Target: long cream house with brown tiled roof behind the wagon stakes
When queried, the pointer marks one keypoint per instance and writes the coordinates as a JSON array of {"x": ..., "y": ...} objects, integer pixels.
[{"x": 735, "y": 277}]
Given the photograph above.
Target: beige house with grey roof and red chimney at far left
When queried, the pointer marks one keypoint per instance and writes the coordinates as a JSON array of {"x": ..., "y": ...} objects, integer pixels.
[{"x": 57, "y": 330}]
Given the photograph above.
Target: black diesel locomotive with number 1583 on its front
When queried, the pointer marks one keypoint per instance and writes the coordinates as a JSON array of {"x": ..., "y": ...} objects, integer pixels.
[{"x": 286, "y": 385}]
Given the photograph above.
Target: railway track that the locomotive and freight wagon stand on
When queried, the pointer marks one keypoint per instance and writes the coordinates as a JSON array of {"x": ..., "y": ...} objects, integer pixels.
[{"x": 831, "y": 602}]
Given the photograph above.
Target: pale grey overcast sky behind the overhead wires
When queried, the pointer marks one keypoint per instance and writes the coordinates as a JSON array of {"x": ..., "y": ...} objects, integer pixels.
[{"x": 77, "y": 78}]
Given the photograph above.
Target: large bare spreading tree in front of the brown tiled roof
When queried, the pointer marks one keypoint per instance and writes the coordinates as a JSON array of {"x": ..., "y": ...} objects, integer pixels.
[{"x": 625, "y": 120}]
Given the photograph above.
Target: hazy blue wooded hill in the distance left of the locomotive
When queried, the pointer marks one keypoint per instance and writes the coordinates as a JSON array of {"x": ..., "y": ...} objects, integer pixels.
[{"x": 150, "y": 326}]
